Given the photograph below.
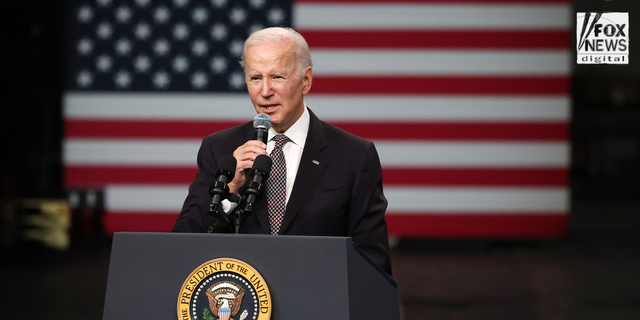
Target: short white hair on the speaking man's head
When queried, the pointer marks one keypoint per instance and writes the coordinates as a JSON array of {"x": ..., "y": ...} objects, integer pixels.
[{"x": 276, "y": 34}]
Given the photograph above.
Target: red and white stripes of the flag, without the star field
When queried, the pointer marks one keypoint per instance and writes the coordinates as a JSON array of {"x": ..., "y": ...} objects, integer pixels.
[{"x": 467, "y": 102}]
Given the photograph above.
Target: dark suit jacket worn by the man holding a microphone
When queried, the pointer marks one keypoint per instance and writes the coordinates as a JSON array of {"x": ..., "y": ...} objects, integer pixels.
[{"x": 338, "y": 194}]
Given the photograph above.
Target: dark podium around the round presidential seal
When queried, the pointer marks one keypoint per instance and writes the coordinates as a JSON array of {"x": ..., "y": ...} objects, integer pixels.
[{"x": 308, "y": 277}]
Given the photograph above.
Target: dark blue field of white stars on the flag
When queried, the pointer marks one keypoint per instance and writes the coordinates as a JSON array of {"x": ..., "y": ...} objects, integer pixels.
[{"x": 163, "y": 45}]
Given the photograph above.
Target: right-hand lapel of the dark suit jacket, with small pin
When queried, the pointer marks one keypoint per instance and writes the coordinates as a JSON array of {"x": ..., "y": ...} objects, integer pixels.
[{"x": 312, "y": 165}]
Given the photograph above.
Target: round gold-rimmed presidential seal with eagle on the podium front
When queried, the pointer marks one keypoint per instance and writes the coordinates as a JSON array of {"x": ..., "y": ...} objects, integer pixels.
[{"x": 224, "y": 289}]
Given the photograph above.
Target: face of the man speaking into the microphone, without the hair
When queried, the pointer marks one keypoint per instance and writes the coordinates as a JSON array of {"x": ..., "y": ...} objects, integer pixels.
[{"x": 274, "y": 84}]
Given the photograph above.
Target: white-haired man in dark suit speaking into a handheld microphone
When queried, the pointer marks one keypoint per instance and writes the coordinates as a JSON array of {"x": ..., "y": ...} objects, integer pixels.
[{"x": 331, "y": 182}]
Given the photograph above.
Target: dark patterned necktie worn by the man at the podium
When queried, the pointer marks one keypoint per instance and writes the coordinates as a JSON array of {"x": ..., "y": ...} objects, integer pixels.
[{"x": 276, "y": 185}]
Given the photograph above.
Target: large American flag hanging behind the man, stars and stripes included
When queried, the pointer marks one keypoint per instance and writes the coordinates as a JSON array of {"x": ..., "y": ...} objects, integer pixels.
[{"x": 467, "y": 101}]
